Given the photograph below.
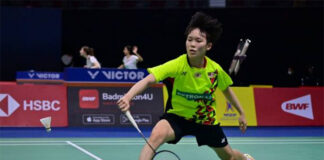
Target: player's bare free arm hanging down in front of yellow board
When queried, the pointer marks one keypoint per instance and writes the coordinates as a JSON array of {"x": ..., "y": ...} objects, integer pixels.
[{"x": 231, "y": 97}]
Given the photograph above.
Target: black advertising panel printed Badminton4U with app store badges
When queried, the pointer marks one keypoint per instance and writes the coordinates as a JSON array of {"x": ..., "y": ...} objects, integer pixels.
[{"x": 96, "y": 106}]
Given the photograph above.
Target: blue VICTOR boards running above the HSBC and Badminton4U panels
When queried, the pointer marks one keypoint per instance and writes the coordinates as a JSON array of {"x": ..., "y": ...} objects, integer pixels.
[{"x": 82, "y": 75}]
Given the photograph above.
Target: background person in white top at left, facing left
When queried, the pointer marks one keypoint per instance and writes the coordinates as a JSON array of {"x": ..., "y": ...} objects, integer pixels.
[{"x": 88, "y": 54}]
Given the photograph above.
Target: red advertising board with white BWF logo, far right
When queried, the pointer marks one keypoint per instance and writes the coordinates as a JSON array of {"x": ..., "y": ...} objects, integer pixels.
[{"x": 289, "y": 106}]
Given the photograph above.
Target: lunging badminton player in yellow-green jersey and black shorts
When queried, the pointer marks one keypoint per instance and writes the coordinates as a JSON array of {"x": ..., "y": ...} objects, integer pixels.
[{"x": 193, "y": 105}]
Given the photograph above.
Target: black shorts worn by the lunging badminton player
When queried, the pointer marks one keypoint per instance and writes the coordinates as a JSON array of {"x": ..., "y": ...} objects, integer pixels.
[{"x": 211, "y": 135}]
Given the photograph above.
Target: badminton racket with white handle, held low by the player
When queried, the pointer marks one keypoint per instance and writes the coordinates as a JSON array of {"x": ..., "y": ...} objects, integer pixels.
[{"x": 160, "y": 155}]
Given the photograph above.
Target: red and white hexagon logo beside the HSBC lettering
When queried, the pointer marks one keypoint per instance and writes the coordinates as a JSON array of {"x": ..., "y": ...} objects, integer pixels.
[{"x": 8, "y": 105}]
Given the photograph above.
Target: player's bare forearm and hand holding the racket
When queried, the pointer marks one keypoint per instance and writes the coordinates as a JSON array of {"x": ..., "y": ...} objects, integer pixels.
[{"x": 138, "y": 88}]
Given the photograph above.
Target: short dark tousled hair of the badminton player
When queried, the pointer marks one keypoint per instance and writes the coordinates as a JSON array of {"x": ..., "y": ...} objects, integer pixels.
[{"x": 206, "y": 24}]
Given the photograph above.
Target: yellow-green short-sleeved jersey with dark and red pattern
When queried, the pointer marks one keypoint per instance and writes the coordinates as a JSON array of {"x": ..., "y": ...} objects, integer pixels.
[{"x": 193, "y": 88}]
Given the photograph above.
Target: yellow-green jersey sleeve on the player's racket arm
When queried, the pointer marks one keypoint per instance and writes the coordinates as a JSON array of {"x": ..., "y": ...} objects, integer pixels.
[{"x": 168, "y": 69}]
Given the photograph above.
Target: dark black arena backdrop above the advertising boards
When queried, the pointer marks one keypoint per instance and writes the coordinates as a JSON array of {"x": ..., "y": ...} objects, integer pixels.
[{"x": 284, "y": 34}]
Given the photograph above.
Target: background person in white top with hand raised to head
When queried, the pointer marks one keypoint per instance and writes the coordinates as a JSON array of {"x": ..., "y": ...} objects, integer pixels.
[{"x": 131, "y": 58}]
